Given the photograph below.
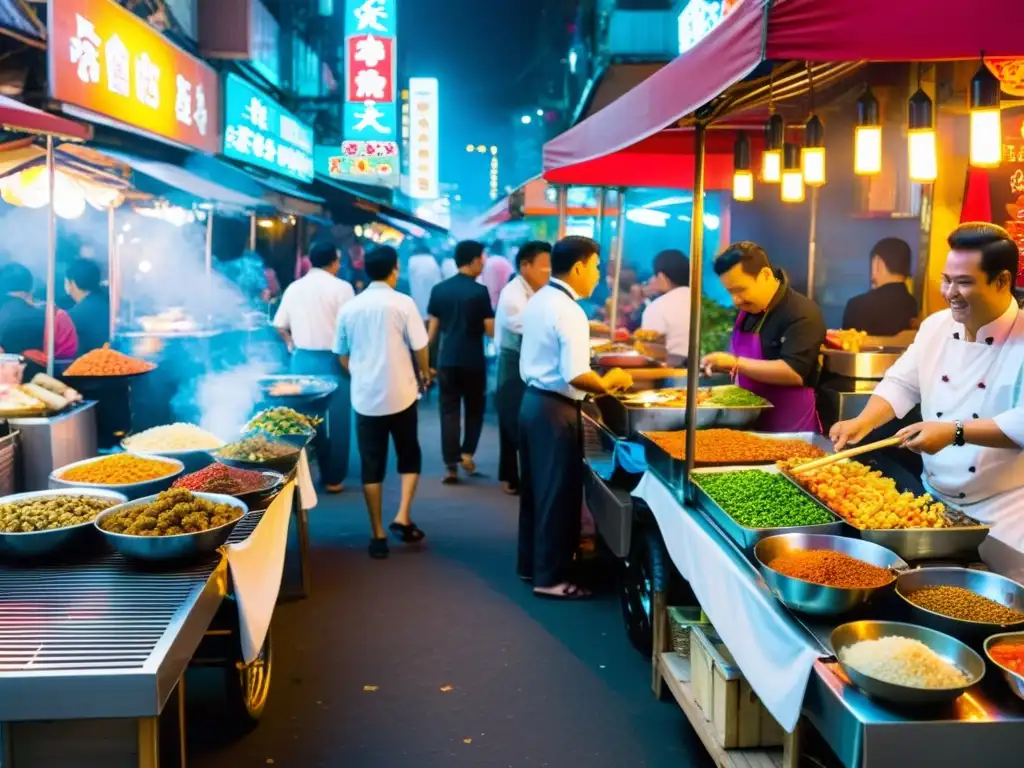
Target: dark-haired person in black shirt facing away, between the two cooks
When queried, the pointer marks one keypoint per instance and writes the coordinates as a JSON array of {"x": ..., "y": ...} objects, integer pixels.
[{"x": 888, "y": 309}]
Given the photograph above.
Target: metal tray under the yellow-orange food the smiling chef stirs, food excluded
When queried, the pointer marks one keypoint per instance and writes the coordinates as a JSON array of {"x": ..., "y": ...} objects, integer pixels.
[{"x": 960, "y": 543}]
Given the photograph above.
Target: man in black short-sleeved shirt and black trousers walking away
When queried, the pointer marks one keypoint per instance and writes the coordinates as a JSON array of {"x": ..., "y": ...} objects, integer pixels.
[{"x": 460, "y": 311}]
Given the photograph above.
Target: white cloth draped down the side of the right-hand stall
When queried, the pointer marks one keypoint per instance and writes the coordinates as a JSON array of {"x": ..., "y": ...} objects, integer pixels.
[{"x": 775, "y": 654}]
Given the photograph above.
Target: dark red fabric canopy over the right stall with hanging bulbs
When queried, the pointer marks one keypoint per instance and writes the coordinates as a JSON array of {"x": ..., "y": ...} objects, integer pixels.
[{"x": 837, "y": 31}]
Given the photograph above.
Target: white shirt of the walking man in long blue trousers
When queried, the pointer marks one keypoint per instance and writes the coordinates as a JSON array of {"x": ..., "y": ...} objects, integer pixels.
[{"x": 310, "y": 310}]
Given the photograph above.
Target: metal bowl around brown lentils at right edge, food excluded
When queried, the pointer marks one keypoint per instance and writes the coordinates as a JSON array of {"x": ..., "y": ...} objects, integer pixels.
[{"x": 993, "y": 586}]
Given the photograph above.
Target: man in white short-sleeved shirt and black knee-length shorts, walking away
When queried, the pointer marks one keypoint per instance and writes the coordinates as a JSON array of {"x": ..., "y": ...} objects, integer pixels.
[{"x": 379, "y": 333}]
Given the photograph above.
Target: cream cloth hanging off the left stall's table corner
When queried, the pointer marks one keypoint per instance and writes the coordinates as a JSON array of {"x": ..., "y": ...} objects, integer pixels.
[{"x": 258, "y": 565}]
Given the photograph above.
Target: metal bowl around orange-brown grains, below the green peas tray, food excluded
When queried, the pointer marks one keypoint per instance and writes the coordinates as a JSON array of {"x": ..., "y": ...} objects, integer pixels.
[{"x": 818, "y": 600}]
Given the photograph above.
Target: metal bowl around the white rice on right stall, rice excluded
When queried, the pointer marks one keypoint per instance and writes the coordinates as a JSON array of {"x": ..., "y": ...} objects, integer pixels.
[{"x": 949, "y": 649}]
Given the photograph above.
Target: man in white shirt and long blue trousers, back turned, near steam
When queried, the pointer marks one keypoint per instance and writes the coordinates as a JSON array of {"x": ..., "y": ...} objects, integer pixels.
[{"x": 306, "y": 320}]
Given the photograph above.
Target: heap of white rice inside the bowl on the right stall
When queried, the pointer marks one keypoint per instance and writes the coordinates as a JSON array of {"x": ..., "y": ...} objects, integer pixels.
[{"x": 903, "y": 662}]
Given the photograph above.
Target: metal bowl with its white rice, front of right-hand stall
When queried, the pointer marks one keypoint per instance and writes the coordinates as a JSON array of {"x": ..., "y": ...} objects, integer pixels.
[{"x": 906, "y": 664}]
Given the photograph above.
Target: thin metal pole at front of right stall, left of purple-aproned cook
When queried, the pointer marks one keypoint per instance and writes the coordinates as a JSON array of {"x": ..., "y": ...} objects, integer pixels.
[{"x": 697, "y": 281}]
